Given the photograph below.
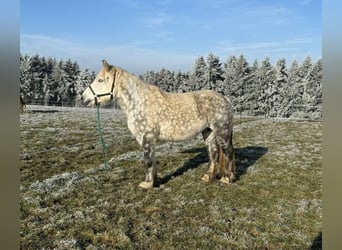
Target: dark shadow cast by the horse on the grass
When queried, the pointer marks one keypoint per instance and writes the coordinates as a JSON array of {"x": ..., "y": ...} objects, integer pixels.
[{"x": 244, "y": 158}]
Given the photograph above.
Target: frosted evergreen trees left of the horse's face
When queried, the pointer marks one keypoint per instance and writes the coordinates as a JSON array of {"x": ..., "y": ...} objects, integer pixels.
[{"x": 47, "y": 81}]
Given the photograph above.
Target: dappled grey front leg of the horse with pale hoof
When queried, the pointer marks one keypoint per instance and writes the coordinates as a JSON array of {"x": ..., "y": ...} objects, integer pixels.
[{"x": 151, "y": 170}]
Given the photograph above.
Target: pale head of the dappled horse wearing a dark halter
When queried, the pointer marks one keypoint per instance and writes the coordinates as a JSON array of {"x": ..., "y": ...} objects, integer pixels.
[{"x": 101, "y": 90}]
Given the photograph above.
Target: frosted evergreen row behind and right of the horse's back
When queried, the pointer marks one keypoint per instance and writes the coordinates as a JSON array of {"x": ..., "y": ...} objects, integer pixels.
[{"x": 259, "y": 89}]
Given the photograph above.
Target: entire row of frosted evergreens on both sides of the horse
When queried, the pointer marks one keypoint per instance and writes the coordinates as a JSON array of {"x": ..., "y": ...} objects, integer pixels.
[{"x": 259, "y": 89}]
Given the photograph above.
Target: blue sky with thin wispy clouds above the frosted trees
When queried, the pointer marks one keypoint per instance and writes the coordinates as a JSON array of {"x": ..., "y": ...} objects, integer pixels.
[{"x": 141, "y": 35}]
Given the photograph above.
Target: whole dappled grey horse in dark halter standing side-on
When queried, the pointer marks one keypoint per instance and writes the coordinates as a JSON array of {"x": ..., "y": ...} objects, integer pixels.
[{"x": 153, "y": 115}]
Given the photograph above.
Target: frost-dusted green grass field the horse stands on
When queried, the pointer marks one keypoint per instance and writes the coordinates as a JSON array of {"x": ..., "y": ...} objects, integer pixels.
[{"x": 70, "y": 201}]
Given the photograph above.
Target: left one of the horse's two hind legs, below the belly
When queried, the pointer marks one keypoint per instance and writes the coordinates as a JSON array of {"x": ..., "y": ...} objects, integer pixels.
[{"x": 210, "y": 141}]
